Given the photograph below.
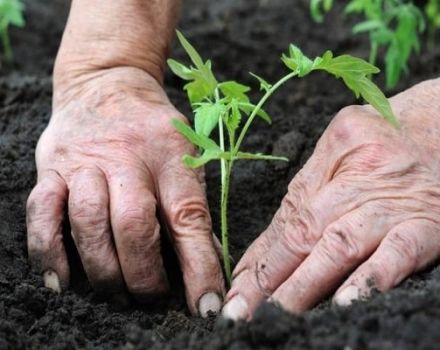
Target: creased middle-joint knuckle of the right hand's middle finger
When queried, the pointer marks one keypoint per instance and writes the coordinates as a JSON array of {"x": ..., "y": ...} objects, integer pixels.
[{"x": 340, "y": 246}]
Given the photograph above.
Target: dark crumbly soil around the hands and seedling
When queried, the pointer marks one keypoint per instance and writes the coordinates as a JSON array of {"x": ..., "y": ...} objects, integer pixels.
[{"x": 239, "y": 36}]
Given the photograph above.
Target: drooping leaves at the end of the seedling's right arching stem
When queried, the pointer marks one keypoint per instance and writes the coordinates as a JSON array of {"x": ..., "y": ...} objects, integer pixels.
[{"x": 353, "y": 71}]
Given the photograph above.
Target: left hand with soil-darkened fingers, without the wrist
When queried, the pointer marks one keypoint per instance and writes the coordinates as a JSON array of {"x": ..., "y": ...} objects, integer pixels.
[{"x": 111, "y": 156}]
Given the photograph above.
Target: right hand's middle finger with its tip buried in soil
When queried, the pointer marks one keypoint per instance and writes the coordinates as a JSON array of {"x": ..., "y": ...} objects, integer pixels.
[{"x": 344, "y": 245}]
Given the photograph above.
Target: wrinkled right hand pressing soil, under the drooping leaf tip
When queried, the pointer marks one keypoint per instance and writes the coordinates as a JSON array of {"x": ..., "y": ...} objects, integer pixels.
[{"x": 363, "y": 213}]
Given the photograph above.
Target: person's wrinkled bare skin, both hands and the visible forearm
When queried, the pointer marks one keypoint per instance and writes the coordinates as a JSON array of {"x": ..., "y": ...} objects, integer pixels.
[{"x": 363, "y": 213}]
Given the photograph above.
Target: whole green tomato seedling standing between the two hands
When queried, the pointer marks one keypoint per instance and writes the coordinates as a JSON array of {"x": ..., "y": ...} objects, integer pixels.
[{"x": 227, "y": 107}]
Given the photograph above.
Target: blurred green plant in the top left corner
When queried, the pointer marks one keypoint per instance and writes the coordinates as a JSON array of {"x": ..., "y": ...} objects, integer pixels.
[{"x": 11, "y": 13}]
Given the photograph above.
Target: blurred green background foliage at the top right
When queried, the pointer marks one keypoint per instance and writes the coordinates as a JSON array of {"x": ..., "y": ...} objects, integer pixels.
[{"x": 392, "y": 25}]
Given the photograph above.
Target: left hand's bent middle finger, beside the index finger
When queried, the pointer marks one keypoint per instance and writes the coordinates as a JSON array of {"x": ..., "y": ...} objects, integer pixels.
[{"x": 136, "y": 232}]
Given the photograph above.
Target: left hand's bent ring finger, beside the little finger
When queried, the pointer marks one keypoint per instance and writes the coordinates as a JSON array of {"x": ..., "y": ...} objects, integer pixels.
[{"x": 90, "y": 223}]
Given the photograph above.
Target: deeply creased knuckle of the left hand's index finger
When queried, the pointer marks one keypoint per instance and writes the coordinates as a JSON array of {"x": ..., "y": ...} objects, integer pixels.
[{"x": 190, "y": 215}]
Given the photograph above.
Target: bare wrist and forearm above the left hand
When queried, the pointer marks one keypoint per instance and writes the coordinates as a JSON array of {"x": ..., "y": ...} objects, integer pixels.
[{"x": 103, "y": 35}]
